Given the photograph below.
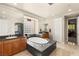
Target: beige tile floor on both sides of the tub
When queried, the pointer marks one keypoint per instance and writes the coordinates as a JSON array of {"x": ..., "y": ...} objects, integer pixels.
[{"x": 61, "y": 50}]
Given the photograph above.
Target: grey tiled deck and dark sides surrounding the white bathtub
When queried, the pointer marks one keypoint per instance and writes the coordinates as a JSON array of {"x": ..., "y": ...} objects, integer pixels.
[{"x": 41, "y": 49}]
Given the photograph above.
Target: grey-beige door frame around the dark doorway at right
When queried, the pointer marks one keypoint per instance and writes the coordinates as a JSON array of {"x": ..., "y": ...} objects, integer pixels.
[{"x": 66, "y": 28}]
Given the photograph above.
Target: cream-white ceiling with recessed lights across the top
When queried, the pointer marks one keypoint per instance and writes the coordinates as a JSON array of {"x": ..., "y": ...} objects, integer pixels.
[{"x": 46, "y": 10}]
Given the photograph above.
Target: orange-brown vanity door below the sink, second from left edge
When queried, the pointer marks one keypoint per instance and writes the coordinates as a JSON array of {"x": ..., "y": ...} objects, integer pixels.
[{"x": 7, "y": 48}]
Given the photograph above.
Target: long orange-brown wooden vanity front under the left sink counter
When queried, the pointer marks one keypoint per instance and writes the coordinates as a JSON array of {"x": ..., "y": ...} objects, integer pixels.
[{"x": 13, "y": 46}]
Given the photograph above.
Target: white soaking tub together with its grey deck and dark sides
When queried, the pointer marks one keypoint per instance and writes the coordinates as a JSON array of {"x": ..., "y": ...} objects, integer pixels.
[{"x": 39, "y": 46}]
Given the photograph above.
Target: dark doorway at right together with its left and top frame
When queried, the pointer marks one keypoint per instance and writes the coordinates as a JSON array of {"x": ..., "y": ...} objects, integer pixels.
[{"x": 70, "y": 30}]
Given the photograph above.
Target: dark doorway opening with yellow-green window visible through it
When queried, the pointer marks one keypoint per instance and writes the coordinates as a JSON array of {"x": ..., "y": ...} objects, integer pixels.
[{"x": 72, "y": 30}]
